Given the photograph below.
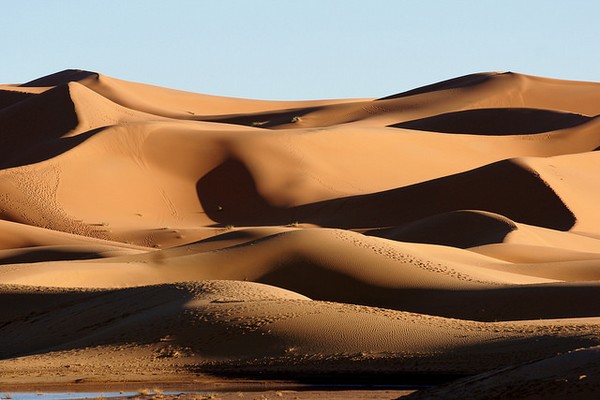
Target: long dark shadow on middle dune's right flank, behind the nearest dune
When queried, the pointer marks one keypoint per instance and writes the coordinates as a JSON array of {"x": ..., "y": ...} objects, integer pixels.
[{"x": 504, "y": 303}]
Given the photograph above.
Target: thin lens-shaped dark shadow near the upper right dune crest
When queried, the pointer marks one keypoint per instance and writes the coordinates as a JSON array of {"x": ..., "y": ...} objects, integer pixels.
[{"x": 496, "y": 121}]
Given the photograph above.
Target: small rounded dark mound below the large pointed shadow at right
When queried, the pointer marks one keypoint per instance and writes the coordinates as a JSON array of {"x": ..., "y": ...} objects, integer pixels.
[{"x": 462, "y": 229}]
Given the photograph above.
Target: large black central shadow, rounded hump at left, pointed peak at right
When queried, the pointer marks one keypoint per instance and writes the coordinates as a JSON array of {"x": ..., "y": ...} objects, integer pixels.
[{"x": 229, "y": 196}]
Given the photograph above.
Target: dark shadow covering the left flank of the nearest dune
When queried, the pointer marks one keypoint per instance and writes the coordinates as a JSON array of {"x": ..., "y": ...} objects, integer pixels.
[{"x": 62, "y": 320}]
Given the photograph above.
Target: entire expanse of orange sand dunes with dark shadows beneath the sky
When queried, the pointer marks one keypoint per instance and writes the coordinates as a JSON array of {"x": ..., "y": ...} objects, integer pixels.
[{"x": 447, "y": 230}]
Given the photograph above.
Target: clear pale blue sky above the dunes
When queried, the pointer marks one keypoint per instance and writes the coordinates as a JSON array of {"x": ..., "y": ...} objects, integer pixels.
[{"x": 280, "y": 49}]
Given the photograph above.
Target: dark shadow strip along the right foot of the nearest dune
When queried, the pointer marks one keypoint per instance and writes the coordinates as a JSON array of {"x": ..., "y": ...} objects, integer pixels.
[{"x": 416, "y": 371}]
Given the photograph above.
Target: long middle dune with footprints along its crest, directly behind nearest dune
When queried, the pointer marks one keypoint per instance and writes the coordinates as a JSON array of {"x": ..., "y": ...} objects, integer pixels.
[{"x": 341, "y": 266}]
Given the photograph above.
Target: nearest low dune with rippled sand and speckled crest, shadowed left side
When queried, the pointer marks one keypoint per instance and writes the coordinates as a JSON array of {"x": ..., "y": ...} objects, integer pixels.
[{"x": 246, "y": 321}]
